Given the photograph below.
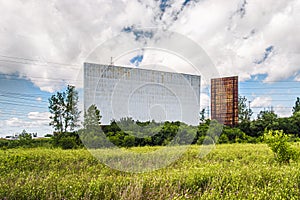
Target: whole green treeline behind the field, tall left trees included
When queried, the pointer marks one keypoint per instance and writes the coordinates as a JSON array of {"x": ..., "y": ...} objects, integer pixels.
[{"x": 128, "y": 133}]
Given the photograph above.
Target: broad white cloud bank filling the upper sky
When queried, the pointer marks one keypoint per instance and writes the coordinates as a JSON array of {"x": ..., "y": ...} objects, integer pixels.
[{"x": 59, "y": 35}]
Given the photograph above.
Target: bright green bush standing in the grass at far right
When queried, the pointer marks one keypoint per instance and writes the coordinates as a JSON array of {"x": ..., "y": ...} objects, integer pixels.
[{"x": 278, "y": 142}]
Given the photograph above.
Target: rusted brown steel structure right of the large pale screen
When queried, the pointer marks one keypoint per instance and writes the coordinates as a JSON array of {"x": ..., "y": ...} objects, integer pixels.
[{"x": 224, "y": 100}]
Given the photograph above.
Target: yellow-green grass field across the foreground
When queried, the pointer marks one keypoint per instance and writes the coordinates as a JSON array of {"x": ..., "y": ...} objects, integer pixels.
[{"x": 235, "y": 171}]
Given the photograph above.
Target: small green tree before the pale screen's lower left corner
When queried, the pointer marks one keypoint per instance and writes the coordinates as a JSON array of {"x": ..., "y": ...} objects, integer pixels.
[{"x": 92, "y": 117}]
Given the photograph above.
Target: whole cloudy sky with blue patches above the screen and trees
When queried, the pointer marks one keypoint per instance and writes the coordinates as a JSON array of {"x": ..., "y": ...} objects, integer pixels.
[{"x": 43, "y": 45}]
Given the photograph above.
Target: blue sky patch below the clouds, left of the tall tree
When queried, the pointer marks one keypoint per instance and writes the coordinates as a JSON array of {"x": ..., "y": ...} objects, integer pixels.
[{"x": 23, "y": 106}]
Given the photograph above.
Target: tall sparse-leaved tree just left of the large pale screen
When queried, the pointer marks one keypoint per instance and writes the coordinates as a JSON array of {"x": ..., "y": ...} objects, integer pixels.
[{"x": 63, "y": 107}]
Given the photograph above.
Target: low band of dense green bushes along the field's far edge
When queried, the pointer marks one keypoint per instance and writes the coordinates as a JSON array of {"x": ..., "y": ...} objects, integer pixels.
[{"x": 129, "y": 133}]
